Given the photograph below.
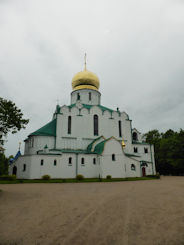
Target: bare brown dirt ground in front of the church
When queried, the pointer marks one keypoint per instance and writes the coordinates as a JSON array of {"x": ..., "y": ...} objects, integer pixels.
[{"x": 128, "y": 213}]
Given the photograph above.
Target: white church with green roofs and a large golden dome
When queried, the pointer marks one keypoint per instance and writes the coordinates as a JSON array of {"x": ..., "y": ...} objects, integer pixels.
[{"x": 85, "y": 138}]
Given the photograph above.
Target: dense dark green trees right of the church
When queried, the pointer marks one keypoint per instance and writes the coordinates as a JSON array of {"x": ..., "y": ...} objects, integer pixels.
[{"x": 169, "y": 151}]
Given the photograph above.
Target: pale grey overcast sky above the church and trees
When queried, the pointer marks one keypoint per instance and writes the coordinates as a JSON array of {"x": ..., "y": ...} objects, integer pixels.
[{"x": 135, "y": 47}]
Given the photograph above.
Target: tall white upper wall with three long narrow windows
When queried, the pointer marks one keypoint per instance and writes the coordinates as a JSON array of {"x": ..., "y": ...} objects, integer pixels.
[{"x": 82, "y": 131}]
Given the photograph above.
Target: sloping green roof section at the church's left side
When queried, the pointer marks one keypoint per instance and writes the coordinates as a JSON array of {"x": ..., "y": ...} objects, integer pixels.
[{"x": 48, "y": 130}]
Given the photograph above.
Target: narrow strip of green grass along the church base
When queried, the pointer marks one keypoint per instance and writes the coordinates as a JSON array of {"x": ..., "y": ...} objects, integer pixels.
[{"x": 85, "y": 180}]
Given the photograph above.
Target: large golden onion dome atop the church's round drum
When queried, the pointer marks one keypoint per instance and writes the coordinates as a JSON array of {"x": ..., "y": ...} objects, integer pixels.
[{"x": 85, "y": 80}]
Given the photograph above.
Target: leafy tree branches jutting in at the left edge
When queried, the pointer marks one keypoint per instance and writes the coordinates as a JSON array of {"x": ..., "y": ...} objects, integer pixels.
[{"x": 11, "y": 118}]
